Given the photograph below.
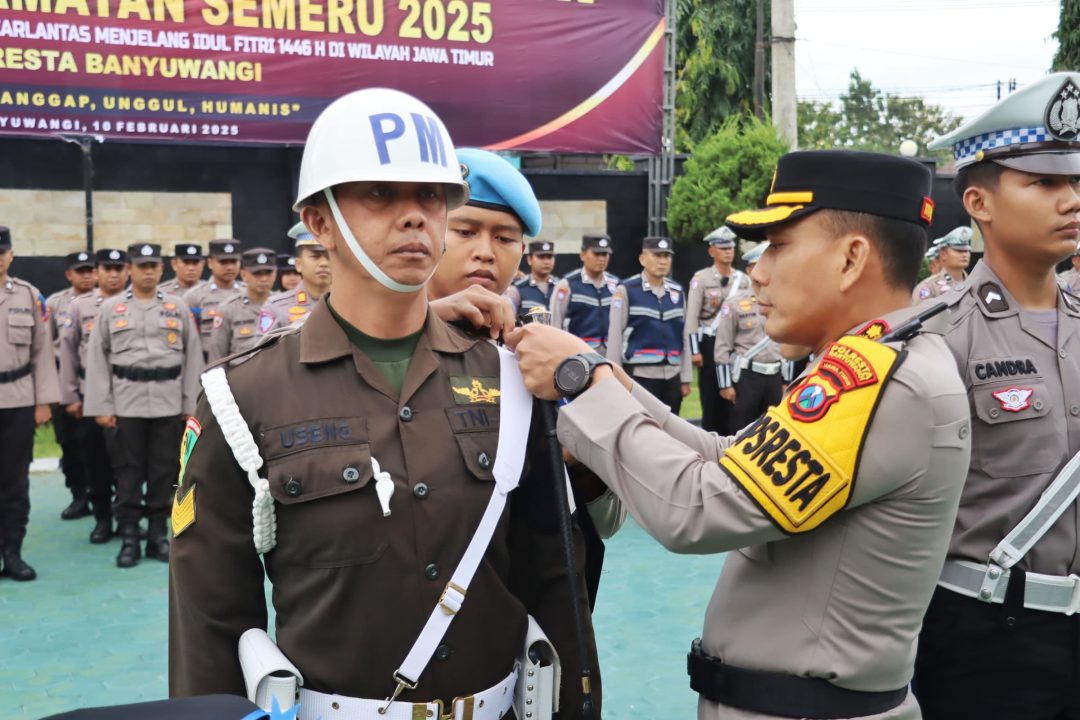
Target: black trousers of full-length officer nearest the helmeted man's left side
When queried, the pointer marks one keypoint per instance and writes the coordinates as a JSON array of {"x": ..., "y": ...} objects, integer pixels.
[{"x": 145, "y": 451}]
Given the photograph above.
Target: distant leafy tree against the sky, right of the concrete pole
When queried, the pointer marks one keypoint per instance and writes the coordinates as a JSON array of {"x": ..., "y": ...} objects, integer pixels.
[{"x": 868, "y": 119}]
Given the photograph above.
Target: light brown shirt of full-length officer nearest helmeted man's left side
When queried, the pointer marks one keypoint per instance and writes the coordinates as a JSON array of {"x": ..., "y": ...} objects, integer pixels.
[{"x": 143, "y": 334}]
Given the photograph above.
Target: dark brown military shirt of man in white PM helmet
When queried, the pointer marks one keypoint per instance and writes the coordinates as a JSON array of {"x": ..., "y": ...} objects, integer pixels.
[{"x": 354, "y": 589}]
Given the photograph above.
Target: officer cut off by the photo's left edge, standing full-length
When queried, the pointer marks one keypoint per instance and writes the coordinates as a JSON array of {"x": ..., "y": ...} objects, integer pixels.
[{"x": 28, "y": 388}]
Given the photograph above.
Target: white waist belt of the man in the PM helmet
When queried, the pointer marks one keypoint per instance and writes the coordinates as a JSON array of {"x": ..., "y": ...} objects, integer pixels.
[{"x": 491, "y": 704}]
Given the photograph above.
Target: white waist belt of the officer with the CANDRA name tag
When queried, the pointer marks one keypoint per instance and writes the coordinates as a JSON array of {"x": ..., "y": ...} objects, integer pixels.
[{"x": 1048, "y": 593}]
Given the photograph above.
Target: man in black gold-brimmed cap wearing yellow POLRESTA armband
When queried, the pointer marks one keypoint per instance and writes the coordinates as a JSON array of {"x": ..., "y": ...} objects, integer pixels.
[{"x": 838, "y": 534}]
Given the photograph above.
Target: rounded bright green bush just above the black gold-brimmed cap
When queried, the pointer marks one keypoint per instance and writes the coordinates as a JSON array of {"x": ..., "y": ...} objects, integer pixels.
[{"x": 730, "y": 171}]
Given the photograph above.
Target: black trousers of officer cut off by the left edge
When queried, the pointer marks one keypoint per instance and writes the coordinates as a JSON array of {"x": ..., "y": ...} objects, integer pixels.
[{"x": 17, "y": 451}]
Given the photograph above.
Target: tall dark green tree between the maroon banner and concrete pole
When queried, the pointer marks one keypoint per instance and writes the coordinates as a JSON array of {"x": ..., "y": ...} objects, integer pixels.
[{"x": 714, "y": 65}]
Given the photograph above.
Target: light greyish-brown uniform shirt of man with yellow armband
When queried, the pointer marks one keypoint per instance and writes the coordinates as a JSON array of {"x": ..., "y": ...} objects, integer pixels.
[{"x": 844, "y": 602}]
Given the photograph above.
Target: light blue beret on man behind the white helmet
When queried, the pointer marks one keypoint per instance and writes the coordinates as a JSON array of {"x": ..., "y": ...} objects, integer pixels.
[{"x": 497, "y": 185}]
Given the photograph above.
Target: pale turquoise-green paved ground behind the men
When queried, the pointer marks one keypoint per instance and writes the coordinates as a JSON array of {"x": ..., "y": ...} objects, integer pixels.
[{"x": 88, "y": 634}]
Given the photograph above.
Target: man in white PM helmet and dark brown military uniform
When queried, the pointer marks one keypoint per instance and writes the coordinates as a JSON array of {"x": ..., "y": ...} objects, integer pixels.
[{"x": 417, "y": 570}]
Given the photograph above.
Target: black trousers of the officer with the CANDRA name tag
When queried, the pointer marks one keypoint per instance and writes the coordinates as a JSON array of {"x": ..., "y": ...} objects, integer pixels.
[{"x": 997, "y": 662}]
